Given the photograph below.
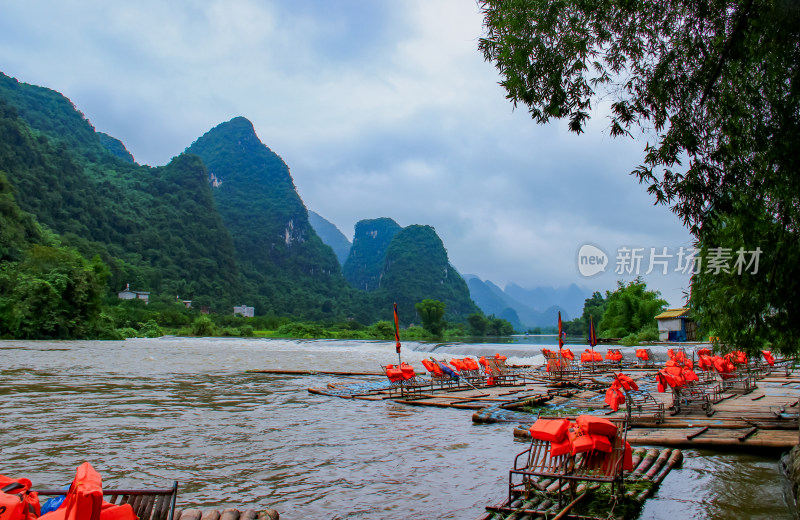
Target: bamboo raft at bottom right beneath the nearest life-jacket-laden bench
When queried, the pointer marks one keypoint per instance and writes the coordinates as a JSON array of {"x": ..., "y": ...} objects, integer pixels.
[{"x": 650, "y": 468}]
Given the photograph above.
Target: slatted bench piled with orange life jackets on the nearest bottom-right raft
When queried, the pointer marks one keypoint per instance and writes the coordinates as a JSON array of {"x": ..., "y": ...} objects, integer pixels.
[{"x": 563, "y": 454}]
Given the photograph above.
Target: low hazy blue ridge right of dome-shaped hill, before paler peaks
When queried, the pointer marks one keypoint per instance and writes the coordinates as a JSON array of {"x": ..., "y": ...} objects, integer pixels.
[{"x": 493, "y": 300}]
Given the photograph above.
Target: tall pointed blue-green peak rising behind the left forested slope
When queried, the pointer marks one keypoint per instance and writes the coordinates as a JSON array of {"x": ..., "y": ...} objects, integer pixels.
[{"x": 287, "y": 267}]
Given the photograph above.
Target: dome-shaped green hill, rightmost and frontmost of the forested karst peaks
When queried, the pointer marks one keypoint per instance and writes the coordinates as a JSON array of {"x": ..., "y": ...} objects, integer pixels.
[{"x": 417, "y": 268}]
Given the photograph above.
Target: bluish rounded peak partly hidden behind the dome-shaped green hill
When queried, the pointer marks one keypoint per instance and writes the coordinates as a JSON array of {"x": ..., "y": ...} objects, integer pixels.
[{"x": 367, "y": 258}]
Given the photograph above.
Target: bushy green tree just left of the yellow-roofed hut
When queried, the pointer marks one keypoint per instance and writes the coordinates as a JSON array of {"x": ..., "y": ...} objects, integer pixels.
[{"x": 630, "y": 310}]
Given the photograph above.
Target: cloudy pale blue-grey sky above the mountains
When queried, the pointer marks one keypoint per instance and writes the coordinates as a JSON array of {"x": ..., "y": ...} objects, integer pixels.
[{"x": 380, "y": 109}]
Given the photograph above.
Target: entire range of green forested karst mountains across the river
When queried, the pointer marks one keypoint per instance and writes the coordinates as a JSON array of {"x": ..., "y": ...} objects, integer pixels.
[{"x": 221, "y": 224}]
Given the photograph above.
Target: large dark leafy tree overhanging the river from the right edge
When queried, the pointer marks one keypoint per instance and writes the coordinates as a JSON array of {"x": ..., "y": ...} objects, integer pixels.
[{"x": 715, "y": 86}]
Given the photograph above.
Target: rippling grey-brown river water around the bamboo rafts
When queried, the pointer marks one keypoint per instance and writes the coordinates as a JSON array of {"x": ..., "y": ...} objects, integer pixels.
[{"x": 145, "y": 412}]
